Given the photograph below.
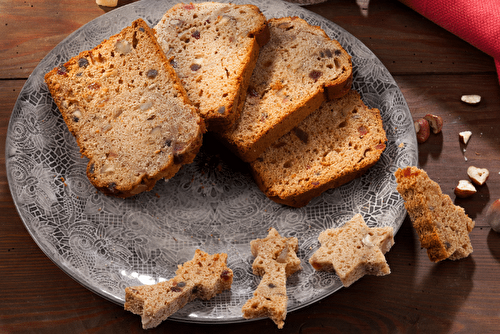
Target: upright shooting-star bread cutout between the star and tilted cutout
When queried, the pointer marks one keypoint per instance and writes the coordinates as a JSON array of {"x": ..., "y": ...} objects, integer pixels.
[{"x": 275, "y": 260}]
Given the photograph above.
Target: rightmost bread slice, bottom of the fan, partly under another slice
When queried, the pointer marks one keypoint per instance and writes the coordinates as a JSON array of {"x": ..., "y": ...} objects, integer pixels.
[{"x": 334, "y": 145}]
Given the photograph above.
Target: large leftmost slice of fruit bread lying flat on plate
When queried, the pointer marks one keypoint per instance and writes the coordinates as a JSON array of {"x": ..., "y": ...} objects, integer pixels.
[{"x": 128, "y": 111}]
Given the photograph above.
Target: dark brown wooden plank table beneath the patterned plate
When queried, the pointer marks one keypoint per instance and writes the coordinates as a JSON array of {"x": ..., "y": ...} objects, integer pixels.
[{"x": 432, "y": 67}]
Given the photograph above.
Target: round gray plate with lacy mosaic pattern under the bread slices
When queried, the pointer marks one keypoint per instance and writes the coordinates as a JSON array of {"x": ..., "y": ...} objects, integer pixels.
[{"x": 107, "y": 244}]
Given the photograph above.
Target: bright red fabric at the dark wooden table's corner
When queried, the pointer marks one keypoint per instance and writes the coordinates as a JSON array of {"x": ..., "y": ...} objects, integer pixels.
[{"x": 475, "y": 21}]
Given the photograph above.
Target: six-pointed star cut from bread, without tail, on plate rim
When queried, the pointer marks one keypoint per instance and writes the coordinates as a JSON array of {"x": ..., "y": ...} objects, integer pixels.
[{"x": 354, "y": 250}]
